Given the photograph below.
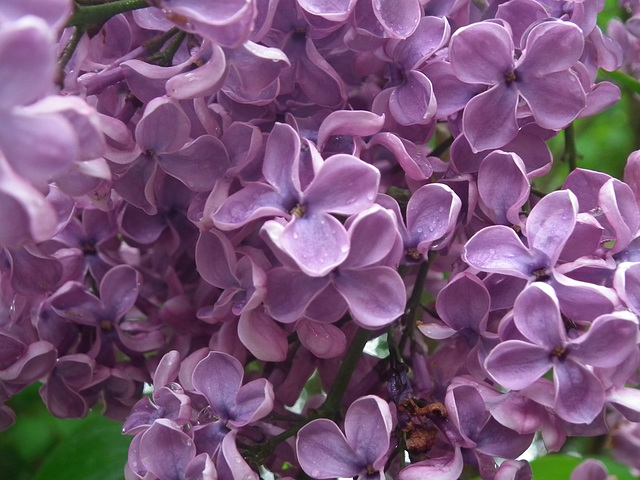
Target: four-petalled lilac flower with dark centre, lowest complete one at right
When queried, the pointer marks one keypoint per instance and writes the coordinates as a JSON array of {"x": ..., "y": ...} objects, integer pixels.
[{"x": 579, "y": 394}]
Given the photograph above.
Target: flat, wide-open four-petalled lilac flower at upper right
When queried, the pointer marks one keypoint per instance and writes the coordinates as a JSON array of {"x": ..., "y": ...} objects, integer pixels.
[{"x": 541, "y": 76}]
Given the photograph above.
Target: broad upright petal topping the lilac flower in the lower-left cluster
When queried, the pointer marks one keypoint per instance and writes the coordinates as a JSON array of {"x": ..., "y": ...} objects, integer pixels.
[{"x": 219, "y": 377}]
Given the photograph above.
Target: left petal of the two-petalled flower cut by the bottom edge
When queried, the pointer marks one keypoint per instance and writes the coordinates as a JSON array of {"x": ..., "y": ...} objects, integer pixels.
[{"x": 323, "y": 451}]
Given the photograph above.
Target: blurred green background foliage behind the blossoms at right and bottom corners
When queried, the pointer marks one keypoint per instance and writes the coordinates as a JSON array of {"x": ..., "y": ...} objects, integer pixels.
[{"x": 41, "y": 447}]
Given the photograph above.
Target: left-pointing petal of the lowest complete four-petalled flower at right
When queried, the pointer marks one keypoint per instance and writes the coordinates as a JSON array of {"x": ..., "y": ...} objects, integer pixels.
[{"x": 515, "y": 364}]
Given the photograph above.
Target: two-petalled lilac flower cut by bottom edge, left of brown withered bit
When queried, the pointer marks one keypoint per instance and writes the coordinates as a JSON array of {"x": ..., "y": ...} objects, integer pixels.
[{"x": 325, "y": 452}]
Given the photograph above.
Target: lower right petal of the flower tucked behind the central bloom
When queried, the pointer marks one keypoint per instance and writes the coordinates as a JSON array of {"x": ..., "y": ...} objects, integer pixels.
[{"x": 375, "y": 295}]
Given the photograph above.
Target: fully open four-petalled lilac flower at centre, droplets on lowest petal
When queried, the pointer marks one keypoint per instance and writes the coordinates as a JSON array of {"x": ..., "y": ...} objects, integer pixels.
[{"x": 316, "y": 240}]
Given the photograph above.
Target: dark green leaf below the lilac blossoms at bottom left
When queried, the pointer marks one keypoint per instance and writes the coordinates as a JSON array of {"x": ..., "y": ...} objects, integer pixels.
[{"x": 94, "y": 450}]
